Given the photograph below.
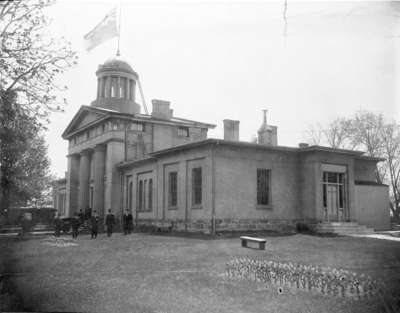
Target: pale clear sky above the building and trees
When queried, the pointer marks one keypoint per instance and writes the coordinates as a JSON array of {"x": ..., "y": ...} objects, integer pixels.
[{"x": 216, "y": 60}]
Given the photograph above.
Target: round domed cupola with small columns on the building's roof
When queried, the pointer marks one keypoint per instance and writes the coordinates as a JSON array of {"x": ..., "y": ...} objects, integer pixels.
[{"x": 116, "y": 84}]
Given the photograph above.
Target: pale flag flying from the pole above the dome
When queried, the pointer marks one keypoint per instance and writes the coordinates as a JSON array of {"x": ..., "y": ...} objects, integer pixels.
[{"x": 104, "y": 31}]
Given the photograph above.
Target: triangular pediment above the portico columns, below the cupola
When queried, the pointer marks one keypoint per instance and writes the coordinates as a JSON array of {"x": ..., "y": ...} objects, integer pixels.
[{"x": 84, "y": 117}]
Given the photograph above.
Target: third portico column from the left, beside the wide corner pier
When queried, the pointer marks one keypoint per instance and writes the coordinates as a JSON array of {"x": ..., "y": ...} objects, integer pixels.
[{"x": 99, "y": 170}]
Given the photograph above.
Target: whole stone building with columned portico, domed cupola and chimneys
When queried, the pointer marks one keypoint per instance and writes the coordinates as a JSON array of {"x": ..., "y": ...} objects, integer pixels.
[{"x": 165, "y": 170}]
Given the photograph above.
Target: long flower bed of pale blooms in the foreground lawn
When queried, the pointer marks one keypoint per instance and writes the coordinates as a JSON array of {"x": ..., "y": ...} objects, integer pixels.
[{"x": 328, "y": 281}]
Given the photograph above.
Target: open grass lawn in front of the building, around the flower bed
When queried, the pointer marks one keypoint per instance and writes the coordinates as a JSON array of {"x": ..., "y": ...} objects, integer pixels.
[{"x": 149, "y": 273}]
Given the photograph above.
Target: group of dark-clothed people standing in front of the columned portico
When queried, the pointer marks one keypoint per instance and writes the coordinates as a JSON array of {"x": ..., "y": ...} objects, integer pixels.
[{"x": 80, "y": 218}]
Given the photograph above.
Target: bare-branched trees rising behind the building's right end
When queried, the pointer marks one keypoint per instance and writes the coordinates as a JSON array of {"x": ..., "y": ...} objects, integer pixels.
[{"x": 367, "y": 132}]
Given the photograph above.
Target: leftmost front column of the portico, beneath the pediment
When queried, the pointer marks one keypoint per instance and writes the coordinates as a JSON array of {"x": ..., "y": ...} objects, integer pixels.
[{"x": 72, "y": 184}]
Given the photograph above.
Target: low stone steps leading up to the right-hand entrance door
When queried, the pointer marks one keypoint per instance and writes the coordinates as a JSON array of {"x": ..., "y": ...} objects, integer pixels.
[{"x": 343, "y": 228}]
